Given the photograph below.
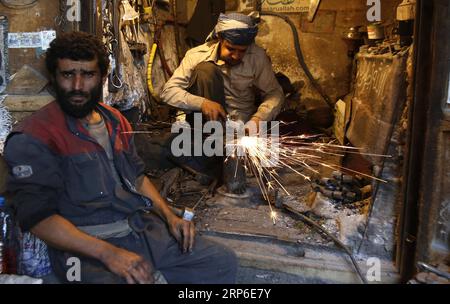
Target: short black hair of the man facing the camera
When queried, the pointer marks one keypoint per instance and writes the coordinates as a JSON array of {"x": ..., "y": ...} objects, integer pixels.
[{"x": 77, "y": 46}]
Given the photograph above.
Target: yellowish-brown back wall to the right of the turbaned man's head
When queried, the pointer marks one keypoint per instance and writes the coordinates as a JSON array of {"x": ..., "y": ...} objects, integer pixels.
[{"x": 323, "y": 48}]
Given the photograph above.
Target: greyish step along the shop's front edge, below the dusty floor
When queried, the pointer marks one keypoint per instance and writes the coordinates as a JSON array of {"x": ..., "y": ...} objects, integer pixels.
[{"x": 266, "y": 260}]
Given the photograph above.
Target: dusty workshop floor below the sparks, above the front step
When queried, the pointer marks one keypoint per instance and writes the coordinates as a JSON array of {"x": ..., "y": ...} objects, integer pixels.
[{"x": 250, "y": 216}]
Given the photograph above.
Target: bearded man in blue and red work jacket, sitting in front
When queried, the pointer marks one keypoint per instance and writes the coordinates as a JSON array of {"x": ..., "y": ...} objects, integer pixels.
[{"x": 78, "y": 184}]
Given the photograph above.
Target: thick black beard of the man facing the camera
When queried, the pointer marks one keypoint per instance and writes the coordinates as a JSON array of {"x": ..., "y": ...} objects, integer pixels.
[{"x": 78, "y": 110}]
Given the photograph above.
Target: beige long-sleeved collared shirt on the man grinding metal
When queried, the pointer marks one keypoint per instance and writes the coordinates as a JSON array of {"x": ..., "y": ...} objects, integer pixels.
[{"x": 240, "y": 81}]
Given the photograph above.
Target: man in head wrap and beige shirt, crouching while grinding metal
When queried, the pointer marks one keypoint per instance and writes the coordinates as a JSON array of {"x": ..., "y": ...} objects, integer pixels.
[{"x": 222, "y": 78}]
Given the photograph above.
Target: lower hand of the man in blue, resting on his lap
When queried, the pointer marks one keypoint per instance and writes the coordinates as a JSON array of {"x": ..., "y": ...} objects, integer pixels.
[{"x": 128, "y": 265}]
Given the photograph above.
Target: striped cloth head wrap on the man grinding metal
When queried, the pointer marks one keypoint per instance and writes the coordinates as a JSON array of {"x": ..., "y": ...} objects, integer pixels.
[{"x": 236, "y": 28}]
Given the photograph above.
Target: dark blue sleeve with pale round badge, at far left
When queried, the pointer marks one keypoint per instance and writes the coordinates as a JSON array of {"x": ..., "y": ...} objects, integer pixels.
[{"x": 34, "y": 179}]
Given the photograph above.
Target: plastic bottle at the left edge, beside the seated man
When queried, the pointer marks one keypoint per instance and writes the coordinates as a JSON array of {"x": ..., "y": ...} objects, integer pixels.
[{"x": 8, "y": 241}]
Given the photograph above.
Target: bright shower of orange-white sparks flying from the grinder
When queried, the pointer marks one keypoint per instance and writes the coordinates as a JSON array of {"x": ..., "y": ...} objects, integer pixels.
[{"x": 264, "y": 158}]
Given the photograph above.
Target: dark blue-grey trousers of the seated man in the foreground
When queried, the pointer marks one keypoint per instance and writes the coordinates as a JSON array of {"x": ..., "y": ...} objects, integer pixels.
[{"x": 208, "y": 263}]
